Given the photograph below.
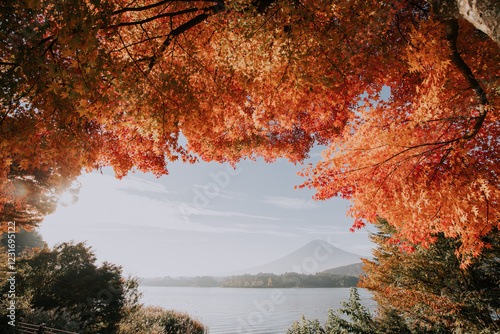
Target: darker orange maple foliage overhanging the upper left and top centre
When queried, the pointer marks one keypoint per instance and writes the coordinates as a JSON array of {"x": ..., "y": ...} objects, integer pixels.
[{"x": 112, "y": 87}]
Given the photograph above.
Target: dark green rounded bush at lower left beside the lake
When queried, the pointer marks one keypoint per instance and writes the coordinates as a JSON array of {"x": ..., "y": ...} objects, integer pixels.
[{"x": 67, "y": 279}]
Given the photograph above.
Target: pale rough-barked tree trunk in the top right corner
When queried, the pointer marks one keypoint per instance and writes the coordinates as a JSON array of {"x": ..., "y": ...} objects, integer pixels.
[{"x": 483, "y": 14}]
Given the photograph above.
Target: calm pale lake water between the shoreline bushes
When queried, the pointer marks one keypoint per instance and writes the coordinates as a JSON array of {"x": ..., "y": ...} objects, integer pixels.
[{"x": 255, "y": 311}]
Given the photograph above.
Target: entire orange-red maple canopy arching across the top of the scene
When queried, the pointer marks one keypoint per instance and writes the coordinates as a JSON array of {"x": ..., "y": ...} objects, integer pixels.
[{"x": 406, "y": 100}]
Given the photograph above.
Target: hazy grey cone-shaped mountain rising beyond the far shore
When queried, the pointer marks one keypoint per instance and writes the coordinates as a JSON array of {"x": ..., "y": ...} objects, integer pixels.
[{"x": 315, "y": 257}]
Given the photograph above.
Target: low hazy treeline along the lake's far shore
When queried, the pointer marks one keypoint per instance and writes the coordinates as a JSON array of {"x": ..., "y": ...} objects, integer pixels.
[{"x": 262, "y": 280}]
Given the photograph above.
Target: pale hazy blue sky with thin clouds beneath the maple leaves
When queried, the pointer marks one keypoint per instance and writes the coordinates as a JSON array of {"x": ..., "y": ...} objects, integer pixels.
[{"x": 201, "y": 219}]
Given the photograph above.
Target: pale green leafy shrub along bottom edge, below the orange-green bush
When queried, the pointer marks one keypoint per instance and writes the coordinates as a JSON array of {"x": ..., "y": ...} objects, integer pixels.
[{"x": 360, "y": 321}]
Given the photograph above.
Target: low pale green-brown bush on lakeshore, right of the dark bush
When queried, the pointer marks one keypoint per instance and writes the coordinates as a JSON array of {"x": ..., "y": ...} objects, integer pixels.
[{"x": 156, "y": 320}]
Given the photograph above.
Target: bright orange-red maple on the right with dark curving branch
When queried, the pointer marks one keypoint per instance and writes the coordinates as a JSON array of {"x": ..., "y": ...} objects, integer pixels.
[{"x": 426, "y": 158}]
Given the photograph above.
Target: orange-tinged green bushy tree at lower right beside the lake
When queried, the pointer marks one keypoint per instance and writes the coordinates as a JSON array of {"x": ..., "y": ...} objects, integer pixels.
[{"x": 427, "y": 284}]
